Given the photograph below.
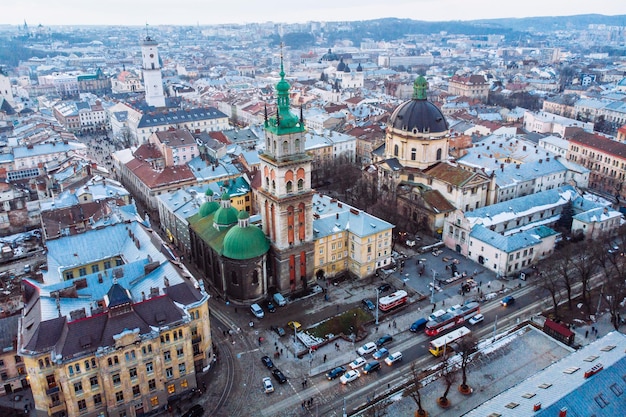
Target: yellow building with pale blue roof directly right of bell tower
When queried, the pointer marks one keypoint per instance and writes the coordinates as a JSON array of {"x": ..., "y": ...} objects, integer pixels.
[{"x": 347, "y": 239}]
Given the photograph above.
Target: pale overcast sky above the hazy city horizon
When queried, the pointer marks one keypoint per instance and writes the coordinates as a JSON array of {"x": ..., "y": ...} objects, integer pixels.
[{"x": 204, "y": 12}]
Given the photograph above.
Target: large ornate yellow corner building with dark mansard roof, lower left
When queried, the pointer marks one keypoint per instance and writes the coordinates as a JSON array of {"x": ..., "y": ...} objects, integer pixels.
[{"x": 121, "y": 341}]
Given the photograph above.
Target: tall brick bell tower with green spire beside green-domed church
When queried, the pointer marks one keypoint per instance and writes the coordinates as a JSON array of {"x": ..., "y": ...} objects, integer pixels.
[{"x": 285, "y": 196}]
